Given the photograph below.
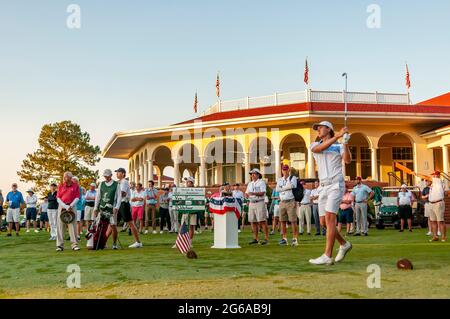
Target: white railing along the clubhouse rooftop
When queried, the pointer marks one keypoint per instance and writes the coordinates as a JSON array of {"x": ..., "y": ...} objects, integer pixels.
[{"x": 308, "y": 96}]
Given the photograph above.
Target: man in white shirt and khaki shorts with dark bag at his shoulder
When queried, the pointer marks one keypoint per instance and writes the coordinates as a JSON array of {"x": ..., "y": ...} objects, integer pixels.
[{"x": 288, "y": 207}]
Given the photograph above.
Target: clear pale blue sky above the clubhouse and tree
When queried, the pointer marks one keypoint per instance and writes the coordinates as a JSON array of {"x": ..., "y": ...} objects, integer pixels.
[{"x": 137, "y": 64}]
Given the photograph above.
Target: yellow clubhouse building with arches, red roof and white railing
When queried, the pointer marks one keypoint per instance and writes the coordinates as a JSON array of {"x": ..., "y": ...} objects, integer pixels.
[{"x": 232, "y": 137}]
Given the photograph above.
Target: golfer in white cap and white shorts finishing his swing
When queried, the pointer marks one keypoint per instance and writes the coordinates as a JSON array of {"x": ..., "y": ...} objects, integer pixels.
[{"x": 329, "y": 156}]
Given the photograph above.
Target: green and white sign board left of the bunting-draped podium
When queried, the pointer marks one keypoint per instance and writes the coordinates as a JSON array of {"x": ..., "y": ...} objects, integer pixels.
[{"x": 188, "y": 200}]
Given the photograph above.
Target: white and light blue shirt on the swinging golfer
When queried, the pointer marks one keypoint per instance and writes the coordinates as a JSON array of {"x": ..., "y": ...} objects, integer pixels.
[{"x": 329, "y": 161}]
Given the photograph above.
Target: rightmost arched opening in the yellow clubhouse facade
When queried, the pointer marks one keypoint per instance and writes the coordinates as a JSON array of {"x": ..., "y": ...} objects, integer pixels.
[{"x": 395, "y": 148}]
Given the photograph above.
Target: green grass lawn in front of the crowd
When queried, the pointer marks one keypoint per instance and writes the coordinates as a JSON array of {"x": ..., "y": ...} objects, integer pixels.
[{"x": 30, "y": 268}]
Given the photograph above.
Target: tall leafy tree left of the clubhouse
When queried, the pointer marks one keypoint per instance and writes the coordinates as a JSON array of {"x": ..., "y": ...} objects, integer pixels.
[{"x": 62, "y": 147}]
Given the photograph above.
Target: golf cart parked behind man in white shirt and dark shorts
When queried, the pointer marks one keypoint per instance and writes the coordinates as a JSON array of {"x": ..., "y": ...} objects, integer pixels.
[{"x": 388, "y": 214}]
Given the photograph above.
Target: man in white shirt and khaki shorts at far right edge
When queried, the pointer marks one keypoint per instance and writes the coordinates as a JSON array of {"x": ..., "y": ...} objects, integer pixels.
[{"x": 437, "y": 207}]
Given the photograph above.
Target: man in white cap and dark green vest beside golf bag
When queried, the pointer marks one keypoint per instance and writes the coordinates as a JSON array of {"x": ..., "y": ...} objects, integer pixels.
[{"x": 108, "y": 202}]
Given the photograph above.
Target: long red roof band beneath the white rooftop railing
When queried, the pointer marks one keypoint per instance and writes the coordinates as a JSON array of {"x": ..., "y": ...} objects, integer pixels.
[{"x": 321, "y": 106}]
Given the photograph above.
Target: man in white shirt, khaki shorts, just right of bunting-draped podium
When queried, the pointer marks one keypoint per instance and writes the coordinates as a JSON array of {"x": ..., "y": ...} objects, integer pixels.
[{"x": 257, "y": 210}]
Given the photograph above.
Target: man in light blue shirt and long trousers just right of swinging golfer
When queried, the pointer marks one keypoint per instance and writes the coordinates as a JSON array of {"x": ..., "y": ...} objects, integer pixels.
[{"x": 362, "y": 194}]
